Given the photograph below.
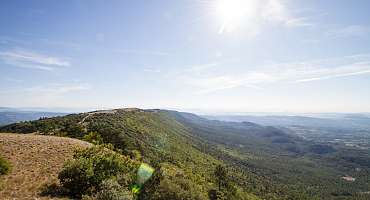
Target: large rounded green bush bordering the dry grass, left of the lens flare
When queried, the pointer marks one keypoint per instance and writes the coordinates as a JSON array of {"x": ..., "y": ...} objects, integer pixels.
[{"x": 87, "y": 170}]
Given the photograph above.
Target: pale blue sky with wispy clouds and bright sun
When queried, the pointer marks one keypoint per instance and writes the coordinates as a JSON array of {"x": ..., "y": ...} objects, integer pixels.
[{"x": 192, "y": 55}]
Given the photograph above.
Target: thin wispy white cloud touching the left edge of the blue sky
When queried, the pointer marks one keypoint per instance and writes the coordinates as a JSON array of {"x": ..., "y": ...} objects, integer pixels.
[{"x": 32, "y": 60}]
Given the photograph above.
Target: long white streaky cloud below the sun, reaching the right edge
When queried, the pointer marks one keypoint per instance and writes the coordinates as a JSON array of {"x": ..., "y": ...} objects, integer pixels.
[{"x": 295, "y": 72}]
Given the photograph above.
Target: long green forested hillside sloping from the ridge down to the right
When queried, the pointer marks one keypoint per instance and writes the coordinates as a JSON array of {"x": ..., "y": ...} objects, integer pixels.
[{"x": 190, "y": 154}]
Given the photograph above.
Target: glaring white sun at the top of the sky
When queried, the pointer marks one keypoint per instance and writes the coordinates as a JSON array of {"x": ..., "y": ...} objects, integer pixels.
[{"x": 233, "y": 13}]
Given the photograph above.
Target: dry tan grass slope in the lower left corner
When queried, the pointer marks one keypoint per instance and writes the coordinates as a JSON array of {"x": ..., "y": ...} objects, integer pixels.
[{"x": 36, "y": 161}]
